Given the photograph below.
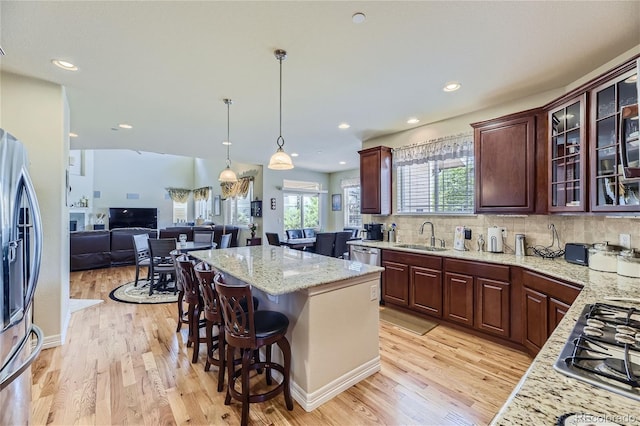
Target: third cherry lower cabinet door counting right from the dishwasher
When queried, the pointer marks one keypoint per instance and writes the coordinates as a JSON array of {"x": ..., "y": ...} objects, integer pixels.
[{"x": 458, "y": 298}]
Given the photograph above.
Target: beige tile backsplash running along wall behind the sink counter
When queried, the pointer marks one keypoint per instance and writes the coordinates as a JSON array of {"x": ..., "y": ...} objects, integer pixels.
[{"x": 571, "y": 229}]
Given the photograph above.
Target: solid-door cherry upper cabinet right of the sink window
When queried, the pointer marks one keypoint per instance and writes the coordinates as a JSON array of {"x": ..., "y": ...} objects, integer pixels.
[{"x": 506, "y": 159}]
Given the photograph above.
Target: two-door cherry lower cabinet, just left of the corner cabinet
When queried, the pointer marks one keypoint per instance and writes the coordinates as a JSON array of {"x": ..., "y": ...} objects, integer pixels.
[{"x": 478, "y": 295}]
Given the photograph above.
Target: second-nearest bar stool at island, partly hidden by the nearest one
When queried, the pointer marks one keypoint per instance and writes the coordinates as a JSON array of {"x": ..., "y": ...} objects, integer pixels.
[{"x": 212, "y": 317}]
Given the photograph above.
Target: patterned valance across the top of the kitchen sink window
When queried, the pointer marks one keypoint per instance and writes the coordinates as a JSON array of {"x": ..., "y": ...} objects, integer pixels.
[{"x": 445, "y": 148}]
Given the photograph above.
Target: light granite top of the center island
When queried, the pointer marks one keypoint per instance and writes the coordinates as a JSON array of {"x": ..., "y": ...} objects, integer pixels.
[{"x": 280, "y": 270}]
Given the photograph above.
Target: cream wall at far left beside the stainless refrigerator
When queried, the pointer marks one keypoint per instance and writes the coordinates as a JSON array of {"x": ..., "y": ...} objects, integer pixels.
[{"x": 37, "y": 113}]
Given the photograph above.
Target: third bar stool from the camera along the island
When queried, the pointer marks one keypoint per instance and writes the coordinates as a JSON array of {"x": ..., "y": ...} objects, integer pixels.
[{"x": 186, "y": 276}]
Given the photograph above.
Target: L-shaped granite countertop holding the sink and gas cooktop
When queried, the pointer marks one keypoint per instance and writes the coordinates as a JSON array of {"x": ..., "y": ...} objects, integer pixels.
[{"x": 543, "y": 394}]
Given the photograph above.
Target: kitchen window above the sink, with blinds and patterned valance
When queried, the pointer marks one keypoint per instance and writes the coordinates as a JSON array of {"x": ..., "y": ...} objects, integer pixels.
[{"x": 436, "y": 177}]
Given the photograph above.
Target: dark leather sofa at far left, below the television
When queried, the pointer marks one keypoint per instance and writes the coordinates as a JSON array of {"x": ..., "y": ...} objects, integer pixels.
[{"x": 104, "y": 248}]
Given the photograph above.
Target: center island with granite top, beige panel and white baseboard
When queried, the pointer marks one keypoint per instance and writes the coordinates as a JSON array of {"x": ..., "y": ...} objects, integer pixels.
[{"x": 332, "y": 306}]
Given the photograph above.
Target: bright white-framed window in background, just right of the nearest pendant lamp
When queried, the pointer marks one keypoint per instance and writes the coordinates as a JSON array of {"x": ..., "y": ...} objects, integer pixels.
[{"x": 301, "y": 204}]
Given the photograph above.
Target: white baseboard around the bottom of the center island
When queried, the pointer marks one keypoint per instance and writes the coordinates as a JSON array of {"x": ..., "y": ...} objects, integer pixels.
[{"x": 311, "y": 401}]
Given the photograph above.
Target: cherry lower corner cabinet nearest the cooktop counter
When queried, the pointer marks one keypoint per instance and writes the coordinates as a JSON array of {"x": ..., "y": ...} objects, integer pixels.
[{"x": 545, "y": 302}]
